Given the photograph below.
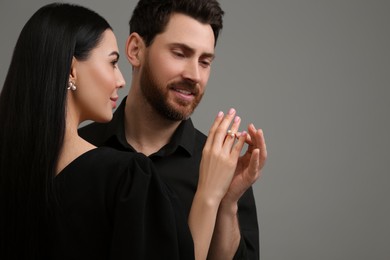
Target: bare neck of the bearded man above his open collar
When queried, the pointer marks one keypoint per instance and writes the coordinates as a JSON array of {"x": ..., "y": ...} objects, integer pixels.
[{"x": 146, "y": 130}]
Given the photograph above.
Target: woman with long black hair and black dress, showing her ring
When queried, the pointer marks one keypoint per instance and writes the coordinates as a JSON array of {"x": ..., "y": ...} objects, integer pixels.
[{"x": 63, "y": 198}]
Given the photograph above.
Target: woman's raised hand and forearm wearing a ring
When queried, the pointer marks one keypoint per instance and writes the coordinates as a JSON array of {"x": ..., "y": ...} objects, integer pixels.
[{"x": 217, "y": 167}]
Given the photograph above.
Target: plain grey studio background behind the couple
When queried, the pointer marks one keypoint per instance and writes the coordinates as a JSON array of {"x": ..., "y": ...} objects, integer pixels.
[{"x": 315, "y": 76}]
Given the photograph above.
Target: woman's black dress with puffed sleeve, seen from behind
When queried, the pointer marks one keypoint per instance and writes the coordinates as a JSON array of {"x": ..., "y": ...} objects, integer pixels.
[{"x": 113, "y": 205}]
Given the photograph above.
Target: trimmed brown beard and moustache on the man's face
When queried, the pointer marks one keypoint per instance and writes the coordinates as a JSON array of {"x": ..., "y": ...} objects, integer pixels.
[{"x": 157, "y": 95}]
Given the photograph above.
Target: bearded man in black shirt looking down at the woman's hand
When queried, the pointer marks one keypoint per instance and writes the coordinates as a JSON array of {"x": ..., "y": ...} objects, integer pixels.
[{"x": 171, "y": 47}]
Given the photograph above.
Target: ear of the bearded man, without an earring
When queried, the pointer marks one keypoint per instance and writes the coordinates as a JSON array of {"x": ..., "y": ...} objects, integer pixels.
[{"x": 135, "y": 47}]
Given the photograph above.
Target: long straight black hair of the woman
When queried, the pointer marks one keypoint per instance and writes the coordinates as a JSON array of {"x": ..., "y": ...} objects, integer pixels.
[{"x": 32, "y": 120}]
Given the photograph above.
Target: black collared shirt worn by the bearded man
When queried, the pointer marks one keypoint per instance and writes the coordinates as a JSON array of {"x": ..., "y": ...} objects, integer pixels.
[{"x": 178, "y": 165}]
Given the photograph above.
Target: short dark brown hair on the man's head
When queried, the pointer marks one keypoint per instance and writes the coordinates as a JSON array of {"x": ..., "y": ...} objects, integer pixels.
[{"x": 150, "y": 17}]
